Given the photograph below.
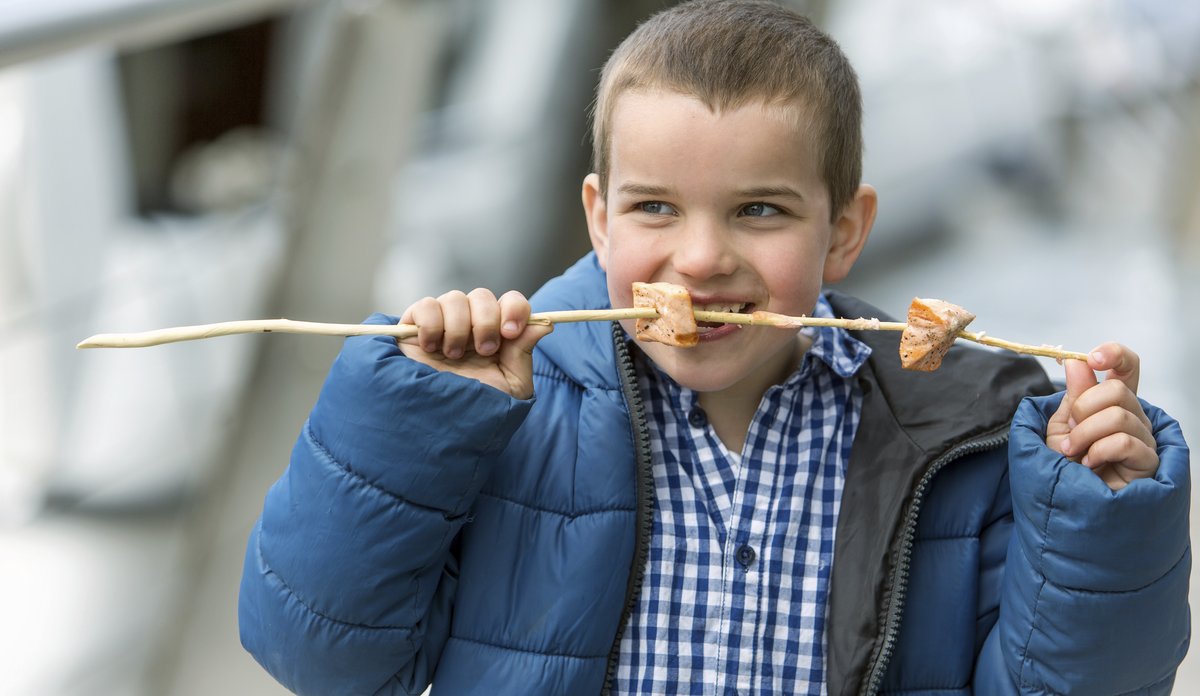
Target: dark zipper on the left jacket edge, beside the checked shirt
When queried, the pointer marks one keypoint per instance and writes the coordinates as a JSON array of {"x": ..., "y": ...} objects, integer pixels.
[{"x": 645, "y": 482}]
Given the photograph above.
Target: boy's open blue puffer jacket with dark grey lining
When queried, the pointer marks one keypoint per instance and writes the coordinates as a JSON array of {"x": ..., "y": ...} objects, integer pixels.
[{"x": 431, "y": 529}]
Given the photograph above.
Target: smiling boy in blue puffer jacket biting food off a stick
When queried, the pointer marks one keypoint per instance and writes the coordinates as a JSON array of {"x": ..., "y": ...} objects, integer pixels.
[{"x": 769, "y": 512}]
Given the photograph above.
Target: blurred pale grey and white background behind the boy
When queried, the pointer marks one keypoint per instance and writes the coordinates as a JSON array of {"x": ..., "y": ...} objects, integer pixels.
[{"x": 169, "y": 163}]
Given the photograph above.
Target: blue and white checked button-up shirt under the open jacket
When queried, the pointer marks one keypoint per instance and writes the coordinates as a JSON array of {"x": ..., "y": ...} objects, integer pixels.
[{"x": 736, "y": 586}]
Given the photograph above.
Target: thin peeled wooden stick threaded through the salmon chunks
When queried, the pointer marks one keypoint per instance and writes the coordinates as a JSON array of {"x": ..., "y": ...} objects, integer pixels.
[{"x": 177, "y": 334}]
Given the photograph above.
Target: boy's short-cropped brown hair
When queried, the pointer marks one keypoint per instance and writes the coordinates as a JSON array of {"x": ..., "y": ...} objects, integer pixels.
[{"x": 729, "y": 53}]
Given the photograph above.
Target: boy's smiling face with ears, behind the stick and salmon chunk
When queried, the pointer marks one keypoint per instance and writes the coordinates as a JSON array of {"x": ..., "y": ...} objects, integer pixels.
[{"x": 734, "y": 208}]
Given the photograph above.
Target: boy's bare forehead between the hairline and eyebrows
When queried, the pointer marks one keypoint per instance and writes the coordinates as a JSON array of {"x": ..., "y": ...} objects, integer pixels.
[{"x": 668, "y": 131}]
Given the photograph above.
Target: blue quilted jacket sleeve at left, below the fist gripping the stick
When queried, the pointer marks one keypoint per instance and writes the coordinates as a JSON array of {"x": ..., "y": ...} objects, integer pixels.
[{"x": 350, "y": 578}]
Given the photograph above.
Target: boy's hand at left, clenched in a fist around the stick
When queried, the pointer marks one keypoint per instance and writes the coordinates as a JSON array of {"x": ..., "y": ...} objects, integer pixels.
[{"x": 477, "y": 335}]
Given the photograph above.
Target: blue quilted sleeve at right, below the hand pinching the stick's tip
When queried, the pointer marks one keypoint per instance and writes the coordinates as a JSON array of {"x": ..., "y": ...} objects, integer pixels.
[{"x": 1095, "y": 598}]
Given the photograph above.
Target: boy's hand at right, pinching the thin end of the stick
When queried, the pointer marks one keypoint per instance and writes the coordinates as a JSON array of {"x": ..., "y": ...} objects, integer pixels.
[{"x": 1101, "y": 424}]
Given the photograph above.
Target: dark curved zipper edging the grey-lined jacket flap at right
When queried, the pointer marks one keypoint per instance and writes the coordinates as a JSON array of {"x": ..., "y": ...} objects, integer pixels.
[{"x": 895, "y": 610}]
